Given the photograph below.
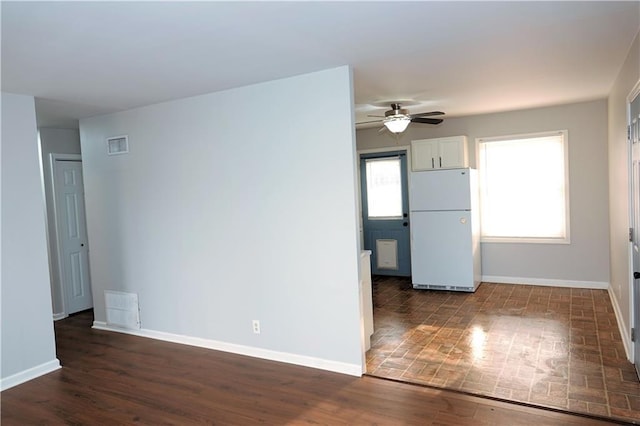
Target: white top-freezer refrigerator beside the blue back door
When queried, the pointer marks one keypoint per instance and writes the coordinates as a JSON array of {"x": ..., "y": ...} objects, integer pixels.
[{"x": 445, "y": 230}]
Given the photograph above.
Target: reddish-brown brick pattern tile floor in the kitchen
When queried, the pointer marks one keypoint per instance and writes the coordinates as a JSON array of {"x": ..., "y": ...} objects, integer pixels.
[{"x": 549, "y": 346}]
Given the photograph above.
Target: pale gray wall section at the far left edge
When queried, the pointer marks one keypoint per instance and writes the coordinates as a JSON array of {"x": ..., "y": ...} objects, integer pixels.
[{"x": 28, "y": 346}]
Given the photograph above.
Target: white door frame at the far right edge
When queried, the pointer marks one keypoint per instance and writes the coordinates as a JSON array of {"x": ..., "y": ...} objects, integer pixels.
[{"x": 635, "y": 92}]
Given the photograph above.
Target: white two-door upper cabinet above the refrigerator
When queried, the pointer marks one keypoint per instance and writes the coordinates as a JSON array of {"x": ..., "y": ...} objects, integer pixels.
[{"x": 439, "y": 153}]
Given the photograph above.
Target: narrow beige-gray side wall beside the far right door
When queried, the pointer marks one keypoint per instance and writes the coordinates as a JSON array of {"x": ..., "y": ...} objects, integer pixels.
[{"x": 628, "y": 77}]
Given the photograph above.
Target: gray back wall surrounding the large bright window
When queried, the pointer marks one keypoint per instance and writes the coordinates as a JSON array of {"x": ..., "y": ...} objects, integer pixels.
[{"x": 586, "y": 259}]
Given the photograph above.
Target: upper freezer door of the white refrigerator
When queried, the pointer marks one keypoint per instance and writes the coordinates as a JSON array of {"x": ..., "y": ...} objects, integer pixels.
[{"x": 440, "y": 190}]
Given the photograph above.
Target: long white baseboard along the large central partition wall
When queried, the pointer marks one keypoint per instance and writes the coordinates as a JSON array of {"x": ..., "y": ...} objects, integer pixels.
[{"x": 305, "y": 361}]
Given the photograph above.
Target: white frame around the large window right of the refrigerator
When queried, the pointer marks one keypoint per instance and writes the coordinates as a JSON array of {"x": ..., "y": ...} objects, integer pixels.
[{"x": 544, "y": 240}]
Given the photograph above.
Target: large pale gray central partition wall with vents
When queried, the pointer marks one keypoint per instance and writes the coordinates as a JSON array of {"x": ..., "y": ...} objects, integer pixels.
[{"x": 225, "y": 210}]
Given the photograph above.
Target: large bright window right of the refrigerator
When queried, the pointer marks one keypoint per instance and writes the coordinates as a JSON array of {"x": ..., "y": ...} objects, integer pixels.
[{"x": 524, "y": 189}]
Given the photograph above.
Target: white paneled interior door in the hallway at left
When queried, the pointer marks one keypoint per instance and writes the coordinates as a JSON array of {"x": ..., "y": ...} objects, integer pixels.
[{"x": 73, "y": 250}]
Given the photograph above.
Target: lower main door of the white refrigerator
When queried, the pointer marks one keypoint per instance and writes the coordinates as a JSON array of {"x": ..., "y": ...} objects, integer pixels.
[{"x": 441, "y": 250}]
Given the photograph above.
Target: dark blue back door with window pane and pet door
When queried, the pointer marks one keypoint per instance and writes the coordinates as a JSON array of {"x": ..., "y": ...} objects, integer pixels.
[{"x": 385, "y": 212}]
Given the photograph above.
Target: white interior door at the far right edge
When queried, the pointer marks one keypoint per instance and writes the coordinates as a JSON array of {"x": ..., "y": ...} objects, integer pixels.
[{"x": 634, "y": 135}]
